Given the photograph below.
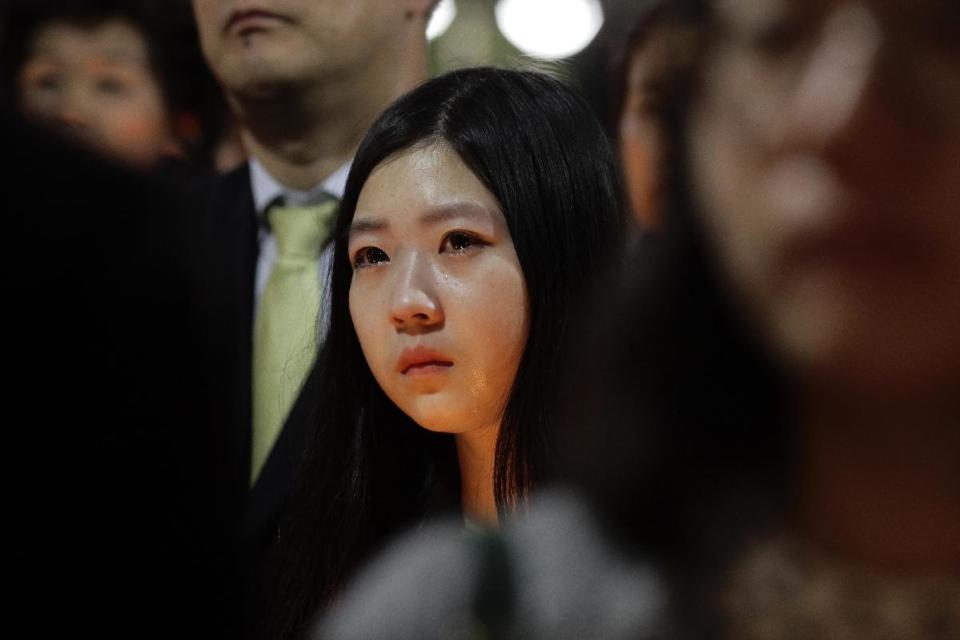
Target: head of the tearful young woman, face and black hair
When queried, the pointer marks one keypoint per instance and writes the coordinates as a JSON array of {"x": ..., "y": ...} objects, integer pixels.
[{"x": 458, "y": 258}]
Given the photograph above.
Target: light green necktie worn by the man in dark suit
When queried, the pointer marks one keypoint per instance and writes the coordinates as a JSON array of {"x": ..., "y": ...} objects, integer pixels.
[{"x": 285, "y": 333}]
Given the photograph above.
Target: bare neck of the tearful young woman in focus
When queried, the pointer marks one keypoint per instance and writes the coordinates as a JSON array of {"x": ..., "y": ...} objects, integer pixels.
[{"x": 476, "y": 452}]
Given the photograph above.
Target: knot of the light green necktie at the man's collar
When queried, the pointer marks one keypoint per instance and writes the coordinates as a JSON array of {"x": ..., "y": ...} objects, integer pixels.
[{"x": 301, "y": 231}]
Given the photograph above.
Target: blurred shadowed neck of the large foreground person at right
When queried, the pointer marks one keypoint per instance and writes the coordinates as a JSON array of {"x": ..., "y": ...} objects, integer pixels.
[{"x": 880, "y": 481}]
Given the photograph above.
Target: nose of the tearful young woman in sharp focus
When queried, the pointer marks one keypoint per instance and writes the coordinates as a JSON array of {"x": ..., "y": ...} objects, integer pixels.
[{"x": 415, "y": 305}]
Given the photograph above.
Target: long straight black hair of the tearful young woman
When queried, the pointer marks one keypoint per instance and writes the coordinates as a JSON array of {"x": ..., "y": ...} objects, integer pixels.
[{"x": 538, "y": 148}]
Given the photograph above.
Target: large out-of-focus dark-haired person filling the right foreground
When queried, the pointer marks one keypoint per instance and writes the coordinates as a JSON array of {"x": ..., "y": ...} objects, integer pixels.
[{"x": 771, "y": 443}]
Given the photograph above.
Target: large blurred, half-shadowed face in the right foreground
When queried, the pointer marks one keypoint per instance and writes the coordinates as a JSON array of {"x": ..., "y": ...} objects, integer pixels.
[{"x": 826, "y": 151}]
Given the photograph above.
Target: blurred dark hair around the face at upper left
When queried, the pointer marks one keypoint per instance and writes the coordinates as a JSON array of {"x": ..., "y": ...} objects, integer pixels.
[{"x": 191, "y": 95}]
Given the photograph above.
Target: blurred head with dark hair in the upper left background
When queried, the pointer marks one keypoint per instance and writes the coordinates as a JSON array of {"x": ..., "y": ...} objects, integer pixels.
[{"x": 123, "y": 77}]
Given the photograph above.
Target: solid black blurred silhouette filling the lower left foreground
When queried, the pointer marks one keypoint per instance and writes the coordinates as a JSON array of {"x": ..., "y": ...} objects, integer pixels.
[{"x": 108, "y": 529}]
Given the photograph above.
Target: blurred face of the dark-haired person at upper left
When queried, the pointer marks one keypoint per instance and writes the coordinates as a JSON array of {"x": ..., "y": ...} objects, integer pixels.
[{"x": 96, "y": 83}]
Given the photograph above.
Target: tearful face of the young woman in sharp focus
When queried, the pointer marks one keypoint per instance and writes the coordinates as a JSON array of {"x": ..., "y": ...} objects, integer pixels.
[{"x": 438, "y": 298}]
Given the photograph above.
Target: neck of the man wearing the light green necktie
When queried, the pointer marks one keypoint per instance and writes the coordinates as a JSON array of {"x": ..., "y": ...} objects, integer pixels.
[{"x": 301, "y": 135}]
